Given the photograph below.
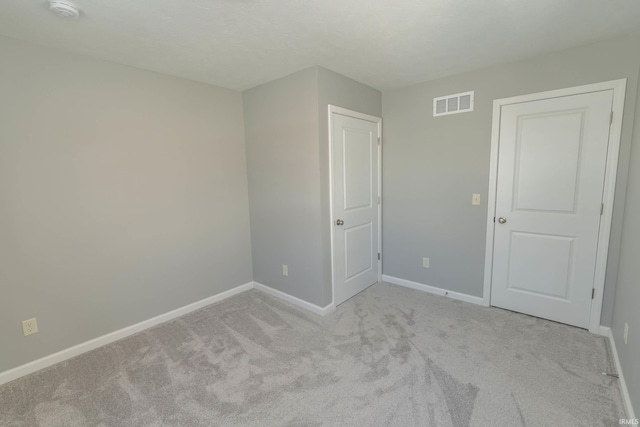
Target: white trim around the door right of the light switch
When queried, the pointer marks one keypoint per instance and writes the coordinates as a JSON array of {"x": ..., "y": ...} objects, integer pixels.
[{"x": 613, "y": 150}]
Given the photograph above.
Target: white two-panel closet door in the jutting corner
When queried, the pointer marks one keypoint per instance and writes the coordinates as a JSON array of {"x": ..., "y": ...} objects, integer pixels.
[{"x": 355, "y": 216}]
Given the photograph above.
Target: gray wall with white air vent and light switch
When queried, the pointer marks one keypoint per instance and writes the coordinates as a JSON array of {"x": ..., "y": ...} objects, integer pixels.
[{"x": 433, "y": 165}]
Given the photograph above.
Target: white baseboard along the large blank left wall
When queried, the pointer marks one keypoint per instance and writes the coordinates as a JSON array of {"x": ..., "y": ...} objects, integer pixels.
[{"x": 86, "y": 346}]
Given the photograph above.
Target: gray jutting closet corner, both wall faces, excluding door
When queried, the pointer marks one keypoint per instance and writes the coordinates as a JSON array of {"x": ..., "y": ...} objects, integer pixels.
[{"x": 286, "y": 124}]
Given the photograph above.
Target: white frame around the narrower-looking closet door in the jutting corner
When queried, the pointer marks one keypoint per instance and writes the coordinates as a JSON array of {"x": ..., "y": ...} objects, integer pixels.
[{"x": 349, "y": 113}]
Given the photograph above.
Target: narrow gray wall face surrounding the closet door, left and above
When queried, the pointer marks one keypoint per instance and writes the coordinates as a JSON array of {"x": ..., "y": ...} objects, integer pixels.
[{"x": 336, "y": 89}]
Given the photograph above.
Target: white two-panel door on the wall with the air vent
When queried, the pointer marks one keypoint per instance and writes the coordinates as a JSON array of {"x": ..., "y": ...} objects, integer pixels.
[{"x": 551, "y": 169}]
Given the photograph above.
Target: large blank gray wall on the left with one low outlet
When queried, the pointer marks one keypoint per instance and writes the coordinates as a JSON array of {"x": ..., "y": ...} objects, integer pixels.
[{"x": 123, "y": 196}]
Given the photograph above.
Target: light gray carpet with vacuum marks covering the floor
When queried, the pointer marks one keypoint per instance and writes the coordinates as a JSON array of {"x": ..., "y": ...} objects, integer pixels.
[{"x": 389, "y": 356}]
